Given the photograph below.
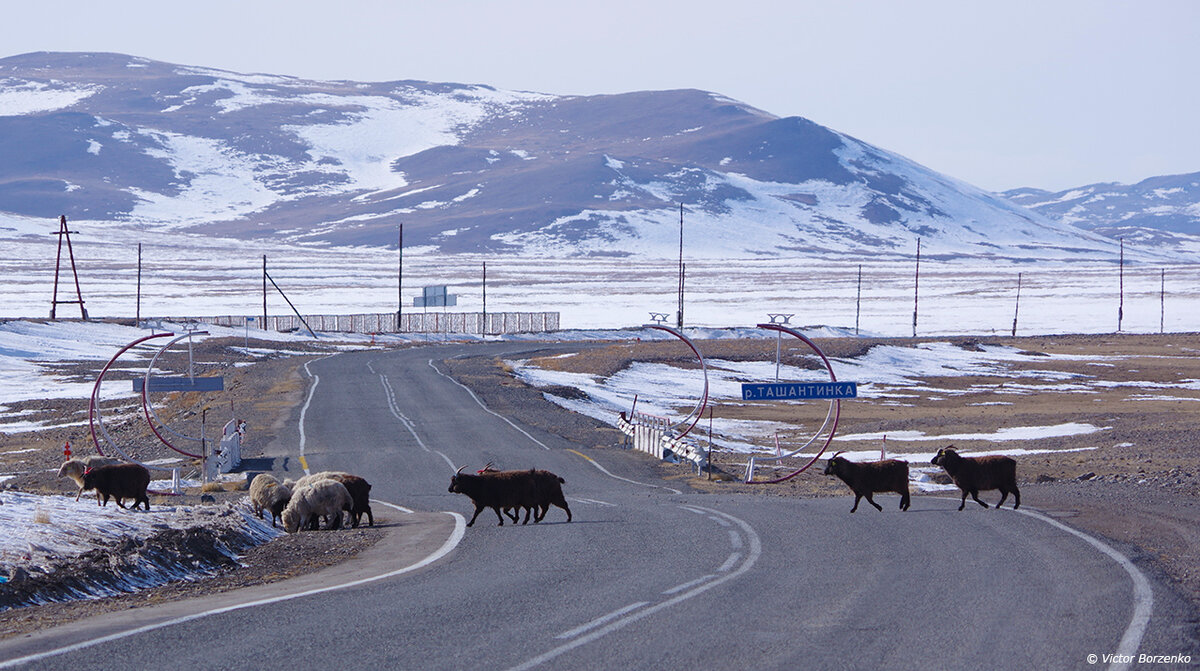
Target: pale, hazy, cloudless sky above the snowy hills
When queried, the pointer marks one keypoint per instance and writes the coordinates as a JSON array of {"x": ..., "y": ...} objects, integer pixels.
[{"x": 1001, "y": 94}]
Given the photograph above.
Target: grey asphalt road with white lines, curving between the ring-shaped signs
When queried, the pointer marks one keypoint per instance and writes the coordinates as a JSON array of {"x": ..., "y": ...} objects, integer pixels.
[{"x": 645, "y": 577}]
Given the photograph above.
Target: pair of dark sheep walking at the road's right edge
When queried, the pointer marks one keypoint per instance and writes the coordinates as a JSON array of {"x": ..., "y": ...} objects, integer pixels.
[{"x": 970, "y": 475}]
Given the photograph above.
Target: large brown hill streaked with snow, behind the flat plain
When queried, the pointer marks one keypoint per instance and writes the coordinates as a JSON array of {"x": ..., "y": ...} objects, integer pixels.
[{"x": 125, "y": 142}]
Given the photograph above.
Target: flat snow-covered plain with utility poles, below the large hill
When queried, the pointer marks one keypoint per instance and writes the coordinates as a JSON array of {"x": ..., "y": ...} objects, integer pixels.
[{"x": 188, "y": 275}]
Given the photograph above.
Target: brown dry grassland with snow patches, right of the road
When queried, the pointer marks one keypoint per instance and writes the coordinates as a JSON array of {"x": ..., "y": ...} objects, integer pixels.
[{"x": 1114, "y": 382}]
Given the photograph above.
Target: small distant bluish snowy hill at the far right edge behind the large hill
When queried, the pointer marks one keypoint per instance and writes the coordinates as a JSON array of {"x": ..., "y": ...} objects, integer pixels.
[{"x": 1162, "y": 213}]
